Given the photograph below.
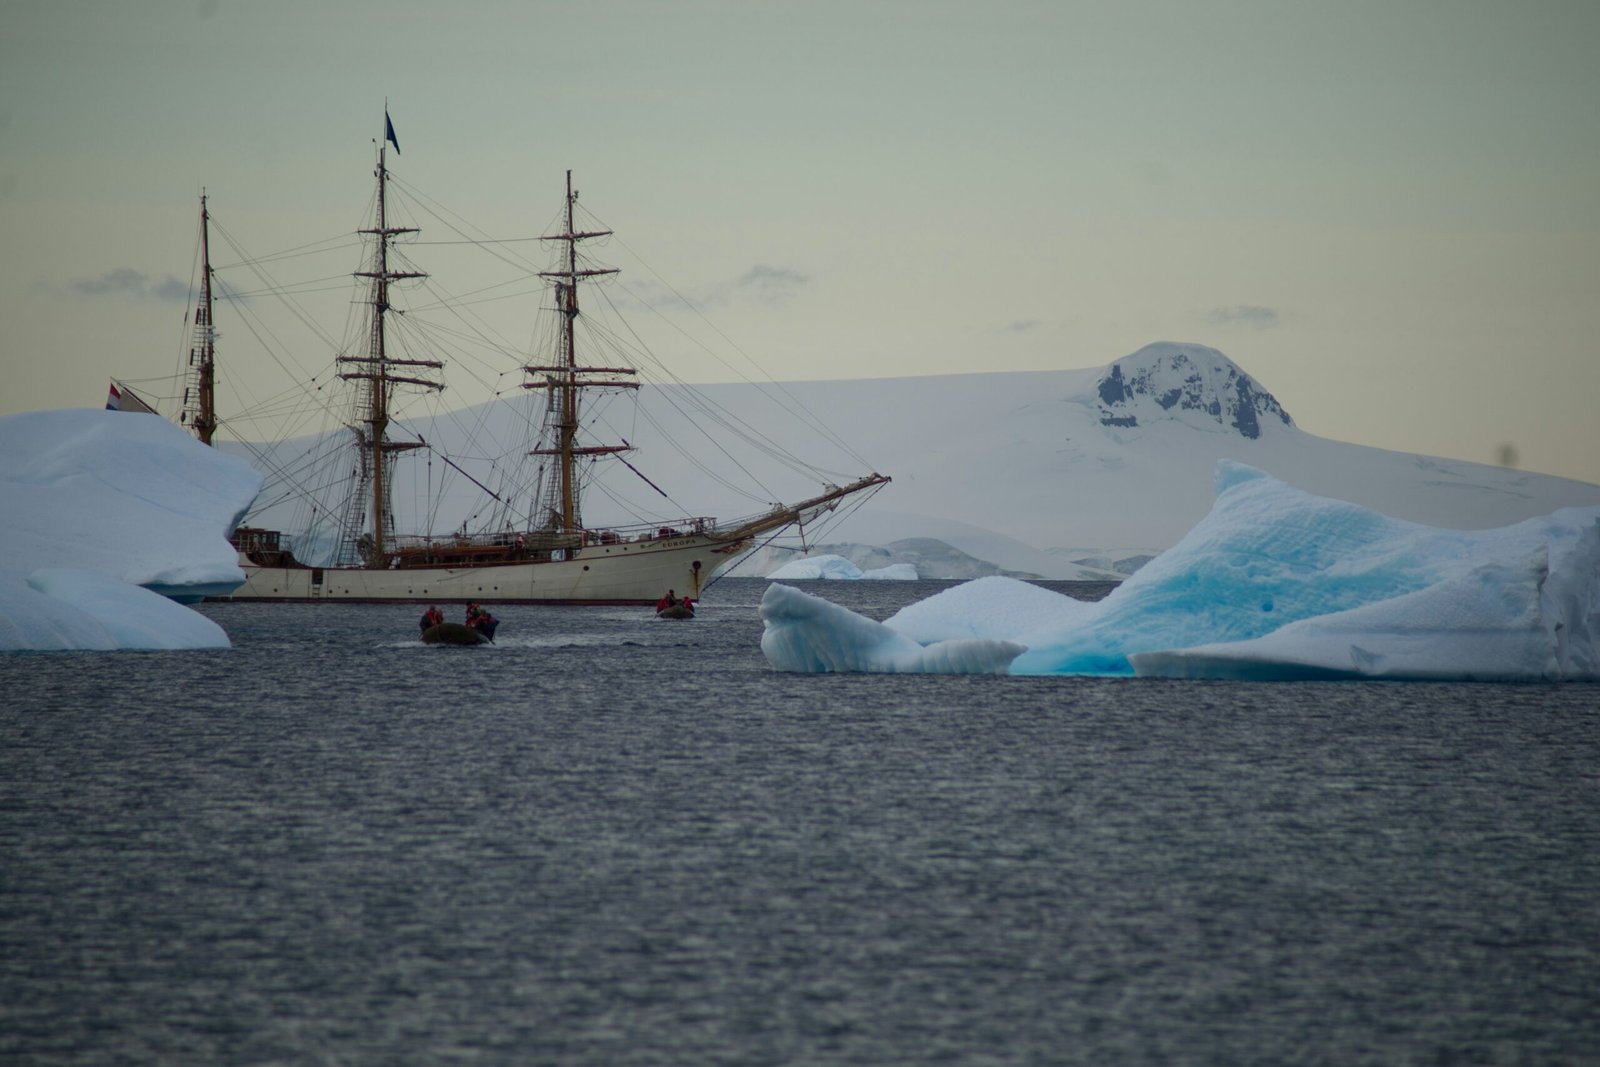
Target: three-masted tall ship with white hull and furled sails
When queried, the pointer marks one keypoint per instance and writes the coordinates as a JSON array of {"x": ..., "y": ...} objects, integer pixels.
[{"x": 532, "y": 535}]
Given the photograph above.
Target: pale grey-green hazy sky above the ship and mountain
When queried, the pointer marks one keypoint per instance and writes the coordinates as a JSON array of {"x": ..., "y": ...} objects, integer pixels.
[{"x": 1385, "y": 212}]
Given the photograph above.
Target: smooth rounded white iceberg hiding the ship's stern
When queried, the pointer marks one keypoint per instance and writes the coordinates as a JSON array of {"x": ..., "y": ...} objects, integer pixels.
[{"x": 111, "y": 519}]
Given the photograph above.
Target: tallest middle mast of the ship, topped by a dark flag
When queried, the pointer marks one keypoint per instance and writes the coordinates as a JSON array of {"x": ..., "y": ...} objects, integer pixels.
[{"x": 377, "y": 369}]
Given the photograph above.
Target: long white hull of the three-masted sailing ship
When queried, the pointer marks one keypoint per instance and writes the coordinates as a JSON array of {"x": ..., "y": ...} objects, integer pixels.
[{"x": 626, "y": 573}]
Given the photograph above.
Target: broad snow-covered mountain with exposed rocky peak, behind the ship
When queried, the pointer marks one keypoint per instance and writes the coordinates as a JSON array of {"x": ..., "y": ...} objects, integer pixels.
[{"x": 1036, "y": 471}]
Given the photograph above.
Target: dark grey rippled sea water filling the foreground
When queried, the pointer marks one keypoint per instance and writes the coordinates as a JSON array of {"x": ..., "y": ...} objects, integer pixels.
[{"x": 615, "y": 841}]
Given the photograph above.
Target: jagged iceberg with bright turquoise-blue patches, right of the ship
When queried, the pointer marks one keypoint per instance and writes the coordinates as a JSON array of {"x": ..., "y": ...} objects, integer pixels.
[{"x": 1273, "y": 585}]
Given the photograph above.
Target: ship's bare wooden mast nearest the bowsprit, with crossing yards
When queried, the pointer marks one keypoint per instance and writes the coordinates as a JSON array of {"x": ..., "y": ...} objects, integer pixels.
[{"x": 567, "y": 377}]
